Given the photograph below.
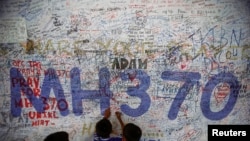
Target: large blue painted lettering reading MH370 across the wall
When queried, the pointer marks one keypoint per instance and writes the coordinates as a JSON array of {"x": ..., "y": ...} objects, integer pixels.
[{"x": 21, "y": 86}]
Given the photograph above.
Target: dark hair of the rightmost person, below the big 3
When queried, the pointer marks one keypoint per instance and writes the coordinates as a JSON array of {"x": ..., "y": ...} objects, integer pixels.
[{"x": 132, "y": 132}]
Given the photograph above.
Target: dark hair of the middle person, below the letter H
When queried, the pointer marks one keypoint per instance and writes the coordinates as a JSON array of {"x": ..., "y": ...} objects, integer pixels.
[{"x": 103, "y": 128}]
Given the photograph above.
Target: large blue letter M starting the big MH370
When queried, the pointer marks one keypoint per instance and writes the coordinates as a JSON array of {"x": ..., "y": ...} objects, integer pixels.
[{"x": 19, "y": 84}]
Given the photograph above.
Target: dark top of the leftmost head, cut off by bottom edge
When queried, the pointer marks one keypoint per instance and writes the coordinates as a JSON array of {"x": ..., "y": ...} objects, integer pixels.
[{"x": 58, "y": 136}]
